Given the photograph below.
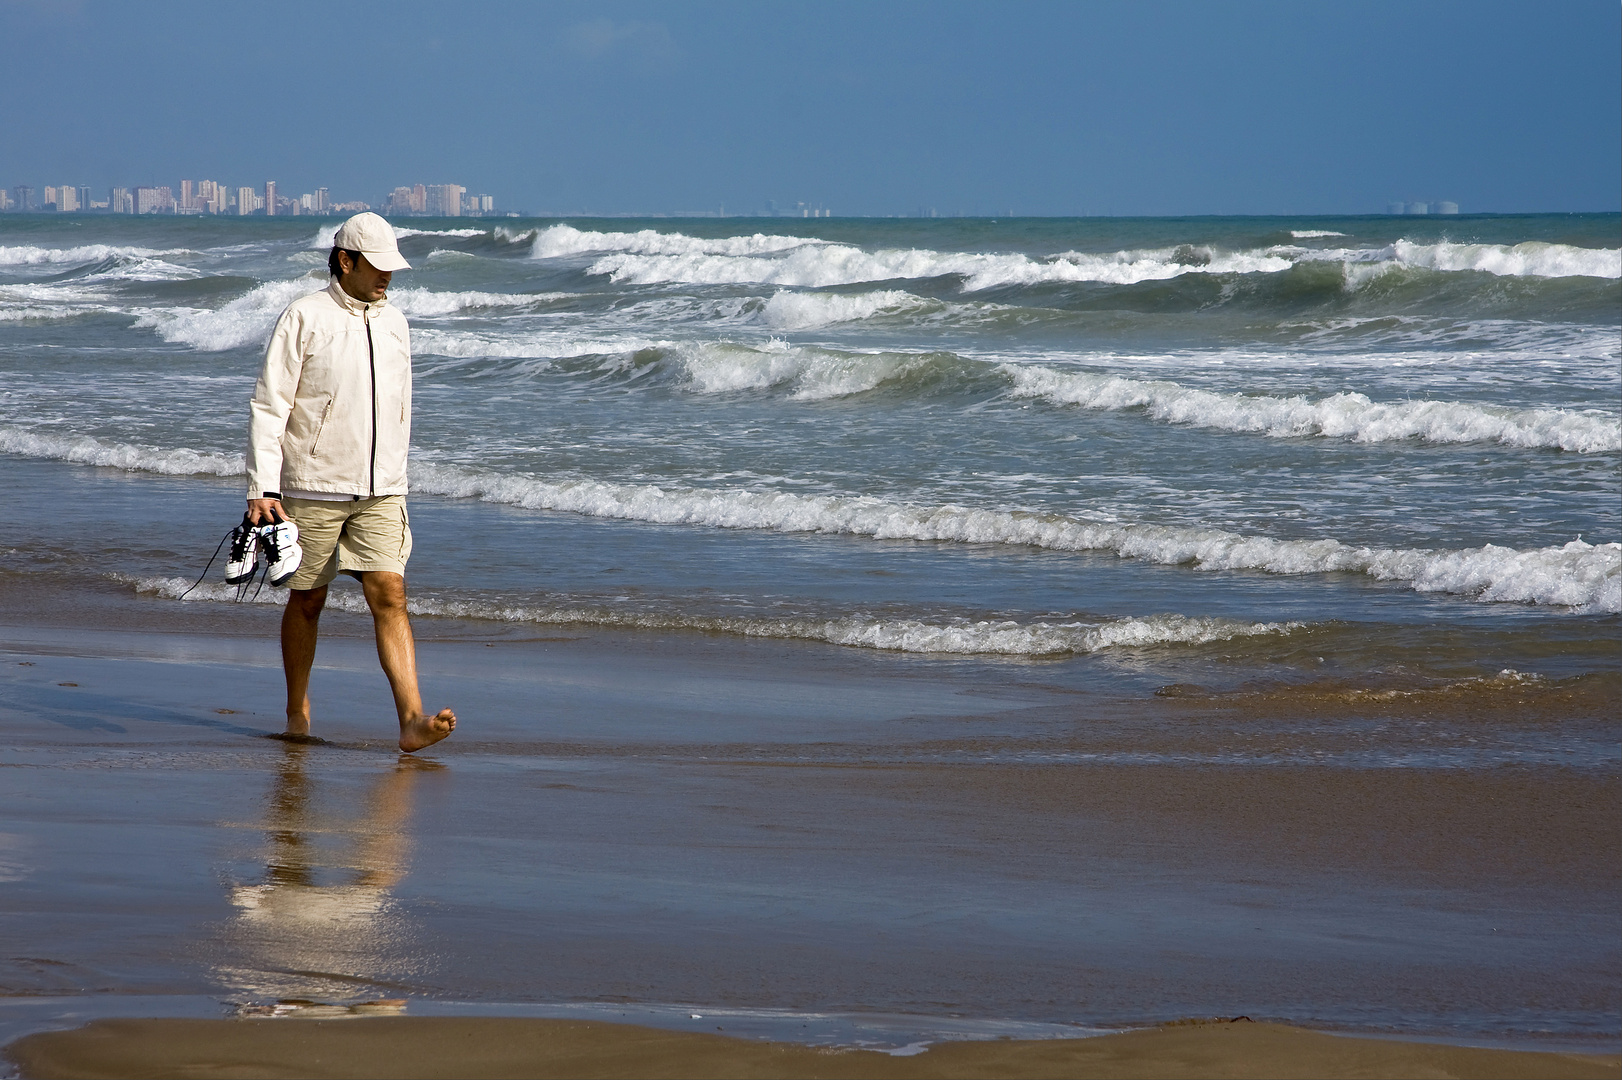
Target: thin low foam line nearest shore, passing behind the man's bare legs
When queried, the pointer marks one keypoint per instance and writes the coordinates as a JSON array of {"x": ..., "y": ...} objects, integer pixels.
[{"x": 1005, "y": 638}]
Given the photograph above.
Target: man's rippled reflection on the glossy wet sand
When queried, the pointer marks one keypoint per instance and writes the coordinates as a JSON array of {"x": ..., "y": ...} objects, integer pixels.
[{"x": 322, "y": 924}]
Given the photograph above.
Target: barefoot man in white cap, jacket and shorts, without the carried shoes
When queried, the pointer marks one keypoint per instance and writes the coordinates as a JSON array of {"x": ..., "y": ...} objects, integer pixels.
[{"x": 328, "y": 431}]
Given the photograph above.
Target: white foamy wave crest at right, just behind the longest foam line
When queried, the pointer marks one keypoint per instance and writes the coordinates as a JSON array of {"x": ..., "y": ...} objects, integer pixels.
[{"x": 1344, "y": 416}]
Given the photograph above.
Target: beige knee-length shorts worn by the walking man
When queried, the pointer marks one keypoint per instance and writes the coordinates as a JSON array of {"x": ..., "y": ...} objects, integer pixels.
[{"x": 353, "y": 538}]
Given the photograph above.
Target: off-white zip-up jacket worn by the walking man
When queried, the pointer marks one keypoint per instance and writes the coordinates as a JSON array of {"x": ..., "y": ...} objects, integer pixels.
[{"x": 332, "y": 411}]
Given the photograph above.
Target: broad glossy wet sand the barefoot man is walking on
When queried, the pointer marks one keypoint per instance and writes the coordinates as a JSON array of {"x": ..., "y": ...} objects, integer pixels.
[{"x": 784, "y": 831}]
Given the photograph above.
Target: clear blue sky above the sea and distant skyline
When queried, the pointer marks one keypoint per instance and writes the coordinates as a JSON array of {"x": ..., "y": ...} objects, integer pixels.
[{"x": 1149, "y": 108}]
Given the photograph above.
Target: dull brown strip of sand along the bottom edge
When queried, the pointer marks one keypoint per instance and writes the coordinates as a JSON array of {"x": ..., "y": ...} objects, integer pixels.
[{"x": 559, "y": 1048}]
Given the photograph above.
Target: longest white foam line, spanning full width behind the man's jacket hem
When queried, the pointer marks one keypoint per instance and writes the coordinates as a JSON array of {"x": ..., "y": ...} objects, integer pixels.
[{"x": 1579, "y": 575}]
